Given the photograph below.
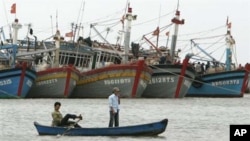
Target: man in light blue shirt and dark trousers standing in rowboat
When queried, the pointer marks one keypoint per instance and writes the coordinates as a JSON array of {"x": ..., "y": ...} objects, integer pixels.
[{"x": 114, "y": 101}]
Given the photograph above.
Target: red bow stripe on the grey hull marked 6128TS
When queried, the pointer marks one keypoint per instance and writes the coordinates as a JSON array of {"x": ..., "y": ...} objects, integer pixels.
[{"x": 182, "y": 75}]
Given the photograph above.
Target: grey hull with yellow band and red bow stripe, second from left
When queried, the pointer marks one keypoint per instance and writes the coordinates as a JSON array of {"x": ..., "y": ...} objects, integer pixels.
[{"x": 55, "y": 83}]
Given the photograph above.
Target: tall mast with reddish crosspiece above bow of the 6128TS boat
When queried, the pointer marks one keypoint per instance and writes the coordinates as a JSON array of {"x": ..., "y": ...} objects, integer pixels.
[{"x": 176, "y": 20}]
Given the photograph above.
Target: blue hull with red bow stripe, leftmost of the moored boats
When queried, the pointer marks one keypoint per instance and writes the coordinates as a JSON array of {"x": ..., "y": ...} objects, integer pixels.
[{"x": 16, "y": 82}]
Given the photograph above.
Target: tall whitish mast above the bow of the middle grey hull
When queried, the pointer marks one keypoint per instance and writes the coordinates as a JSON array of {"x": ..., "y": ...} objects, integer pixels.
[{"x": 129, "y": 18}]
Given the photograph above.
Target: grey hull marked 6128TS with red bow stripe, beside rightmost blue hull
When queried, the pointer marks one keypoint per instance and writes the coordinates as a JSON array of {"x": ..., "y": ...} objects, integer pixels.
[{"x": 164, "y": 82}]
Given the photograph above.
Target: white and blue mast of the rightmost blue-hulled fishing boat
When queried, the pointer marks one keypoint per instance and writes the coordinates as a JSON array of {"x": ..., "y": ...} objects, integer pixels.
[{"x": 230, "y": 43}]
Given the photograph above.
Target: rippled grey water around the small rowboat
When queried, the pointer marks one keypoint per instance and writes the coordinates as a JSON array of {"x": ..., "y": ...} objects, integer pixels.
[{"x": 190, "y": 119}]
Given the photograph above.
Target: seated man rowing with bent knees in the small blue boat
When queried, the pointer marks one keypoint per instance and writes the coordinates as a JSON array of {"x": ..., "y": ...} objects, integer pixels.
[{"x": 58, "y": 120}]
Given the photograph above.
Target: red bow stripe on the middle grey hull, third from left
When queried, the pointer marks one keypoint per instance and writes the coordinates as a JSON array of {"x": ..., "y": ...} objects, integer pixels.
[{"x": 139, "y": 69}]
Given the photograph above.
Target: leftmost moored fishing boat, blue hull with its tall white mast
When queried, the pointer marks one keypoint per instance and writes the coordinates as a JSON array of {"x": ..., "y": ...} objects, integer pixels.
[{"x": 16, "y": 79}]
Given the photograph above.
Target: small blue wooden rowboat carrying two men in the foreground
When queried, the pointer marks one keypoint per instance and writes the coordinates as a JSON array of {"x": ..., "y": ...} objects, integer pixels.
[{"x": 149, "y": 129}]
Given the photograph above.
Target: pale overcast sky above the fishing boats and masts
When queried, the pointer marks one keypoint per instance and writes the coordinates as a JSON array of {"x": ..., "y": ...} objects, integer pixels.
[{"x": 199, "y": 15}]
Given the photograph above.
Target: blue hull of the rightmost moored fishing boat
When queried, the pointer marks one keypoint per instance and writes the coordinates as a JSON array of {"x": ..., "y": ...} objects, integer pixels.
[{"x": 222, "y": 84}]
